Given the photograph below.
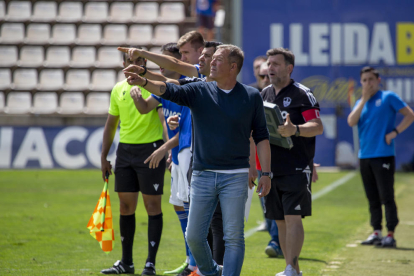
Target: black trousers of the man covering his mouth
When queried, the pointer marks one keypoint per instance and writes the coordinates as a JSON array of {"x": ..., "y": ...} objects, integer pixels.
[{"x": 378, "y": 178}]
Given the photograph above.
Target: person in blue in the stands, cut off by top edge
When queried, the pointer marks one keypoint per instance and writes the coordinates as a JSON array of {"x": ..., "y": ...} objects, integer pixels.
[{"x": 206, "y": 13}]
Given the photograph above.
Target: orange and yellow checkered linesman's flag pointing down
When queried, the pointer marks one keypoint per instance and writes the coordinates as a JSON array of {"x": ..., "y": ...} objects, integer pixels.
[{"x": 100, "y": 224}]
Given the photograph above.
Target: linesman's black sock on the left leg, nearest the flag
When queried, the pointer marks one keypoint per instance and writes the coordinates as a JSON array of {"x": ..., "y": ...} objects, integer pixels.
[{"x": 127, "y": 229}]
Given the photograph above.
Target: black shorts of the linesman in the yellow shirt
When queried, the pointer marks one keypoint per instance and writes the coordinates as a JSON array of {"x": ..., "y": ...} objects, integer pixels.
[{"x": 132, "y": 175}]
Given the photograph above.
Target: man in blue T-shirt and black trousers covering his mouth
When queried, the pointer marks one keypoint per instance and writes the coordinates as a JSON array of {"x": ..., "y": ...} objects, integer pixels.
[{"x": 375, "y": 115}]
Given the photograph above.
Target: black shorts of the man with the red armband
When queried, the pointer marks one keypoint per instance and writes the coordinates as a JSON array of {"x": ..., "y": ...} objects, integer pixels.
[{"x": 289, "y": 195}]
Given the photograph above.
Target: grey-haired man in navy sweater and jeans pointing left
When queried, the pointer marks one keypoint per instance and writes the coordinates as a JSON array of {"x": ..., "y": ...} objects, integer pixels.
[{"x": 225, "y": 114}]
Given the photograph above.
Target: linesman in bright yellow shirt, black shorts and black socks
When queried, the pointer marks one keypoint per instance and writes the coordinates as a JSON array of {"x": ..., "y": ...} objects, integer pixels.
[{"x": 140, "y": 136}]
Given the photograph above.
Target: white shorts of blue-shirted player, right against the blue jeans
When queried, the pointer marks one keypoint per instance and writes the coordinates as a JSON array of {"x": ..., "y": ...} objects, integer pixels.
[{"x": 184, "y": 161}]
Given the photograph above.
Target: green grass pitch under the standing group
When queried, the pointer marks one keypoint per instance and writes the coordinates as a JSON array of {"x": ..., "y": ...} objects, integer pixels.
[{"x": 44, "y": 215}]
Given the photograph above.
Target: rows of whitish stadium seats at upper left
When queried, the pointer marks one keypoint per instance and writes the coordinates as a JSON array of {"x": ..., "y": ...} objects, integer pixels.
[{"x": 68, "y": 48}]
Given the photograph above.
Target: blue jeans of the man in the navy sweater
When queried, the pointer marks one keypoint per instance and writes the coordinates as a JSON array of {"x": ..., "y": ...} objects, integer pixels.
[{"x": 206, "y": 189}]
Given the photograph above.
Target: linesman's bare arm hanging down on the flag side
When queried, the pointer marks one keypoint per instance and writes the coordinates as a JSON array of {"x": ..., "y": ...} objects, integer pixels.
[{"x": 108, "y": 137}]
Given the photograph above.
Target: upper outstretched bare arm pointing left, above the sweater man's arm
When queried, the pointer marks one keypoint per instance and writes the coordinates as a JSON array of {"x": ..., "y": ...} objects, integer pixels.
[{"x": 164, "y": 61}]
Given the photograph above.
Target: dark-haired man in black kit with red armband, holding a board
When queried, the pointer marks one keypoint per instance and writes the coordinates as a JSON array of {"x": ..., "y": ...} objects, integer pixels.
[{"x": 290, "y": 198}]
